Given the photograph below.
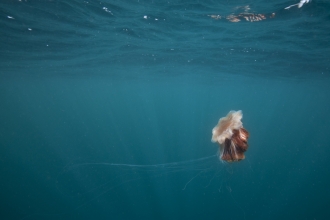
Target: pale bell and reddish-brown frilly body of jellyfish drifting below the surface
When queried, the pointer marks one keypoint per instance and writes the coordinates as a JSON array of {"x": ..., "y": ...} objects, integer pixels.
[{"x": 231, "y": 136}]
